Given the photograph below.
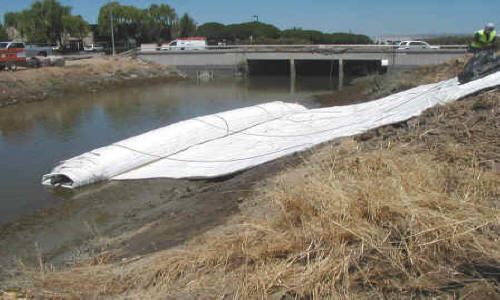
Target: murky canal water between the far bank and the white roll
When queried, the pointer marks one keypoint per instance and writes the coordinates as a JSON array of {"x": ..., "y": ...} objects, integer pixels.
[{"x": 34, "y": 137}]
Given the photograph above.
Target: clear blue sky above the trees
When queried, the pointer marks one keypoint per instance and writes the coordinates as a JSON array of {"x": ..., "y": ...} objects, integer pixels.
[{"x": 370, "y": 17}]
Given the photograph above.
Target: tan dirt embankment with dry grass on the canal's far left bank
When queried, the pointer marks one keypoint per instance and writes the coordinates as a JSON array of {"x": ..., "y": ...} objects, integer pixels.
[{"x": 87, "y": 75}]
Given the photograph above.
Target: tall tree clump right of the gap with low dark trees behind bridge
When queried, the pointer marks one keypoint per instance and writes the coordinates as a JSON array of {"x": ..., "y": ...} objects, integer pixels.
[{"x": 160, "y": 23}]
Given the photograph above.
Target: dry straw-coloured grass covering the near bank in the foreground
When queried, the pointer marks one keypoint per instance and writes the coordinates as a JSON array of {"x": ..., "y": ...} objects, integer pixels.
[{"x": 416, "y": 216}]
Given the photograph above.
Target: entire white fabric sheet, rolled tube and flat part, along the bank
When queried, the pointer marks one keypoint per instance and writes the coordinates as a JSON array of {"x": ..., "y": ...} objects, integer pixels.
[{"x": 228, "y": 142}]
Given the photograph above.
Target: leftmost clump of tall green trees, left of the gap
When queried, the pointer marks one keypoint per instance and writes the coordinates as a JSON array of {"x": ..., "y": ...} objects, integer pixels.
[{"x": 47, "y": 21}]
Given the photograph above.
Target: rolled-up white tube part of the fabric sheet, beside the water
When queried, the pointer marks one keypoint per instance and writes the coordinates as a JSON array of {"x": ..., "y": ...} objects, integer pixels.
[{"x": 106, "y": 162}]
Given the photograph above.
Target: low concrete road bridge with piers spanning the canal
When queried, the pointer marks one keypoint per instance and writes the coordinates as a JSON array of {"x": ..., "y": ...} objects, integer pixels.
[{"x": 241, "y": 59}]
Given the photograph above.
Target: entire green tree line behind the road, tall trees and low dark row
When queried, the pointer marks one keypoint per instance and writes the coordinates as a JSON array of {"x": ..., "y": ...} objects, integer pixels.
[{"x": 47, "y": 21}]
